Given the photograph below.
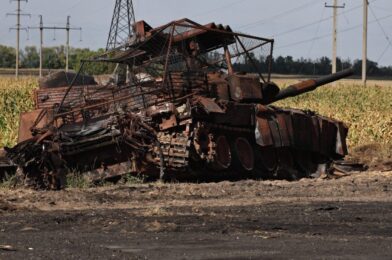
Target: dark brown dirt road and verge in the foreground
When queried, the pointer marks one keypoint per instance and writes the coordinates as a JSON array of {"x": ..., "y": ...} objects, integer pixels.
[{"x": 348, "y": 218}]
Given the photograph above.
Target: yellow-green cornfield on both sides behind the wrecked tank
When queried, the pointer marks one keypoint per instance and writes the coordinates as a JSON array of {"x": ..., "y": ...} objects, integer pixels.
[{"x": 368, "y": 111}]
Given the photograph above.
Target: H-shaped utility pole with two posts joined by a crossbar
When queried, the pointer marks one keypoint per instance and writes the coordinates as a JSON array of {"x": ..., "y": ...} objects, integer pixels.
[{"x": 67, "y": 28}]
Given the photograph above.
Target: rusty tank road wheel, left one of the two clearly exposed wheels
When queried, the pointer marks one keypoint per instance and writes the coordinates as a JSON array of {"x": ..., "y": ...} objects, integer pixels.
[{"x": 222, "y": 154}]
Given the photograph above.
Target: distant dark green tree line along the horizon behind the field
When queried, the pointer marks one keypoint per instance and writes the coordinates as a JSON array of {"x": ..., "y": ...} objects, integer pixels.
[{"x": 54, "y": 58}]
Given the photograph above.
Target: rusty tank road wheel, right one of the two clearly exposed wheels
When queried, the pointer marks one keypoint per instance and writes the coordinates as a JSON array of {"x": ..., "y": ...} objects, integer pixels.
[{"x": 243, "y": 154}]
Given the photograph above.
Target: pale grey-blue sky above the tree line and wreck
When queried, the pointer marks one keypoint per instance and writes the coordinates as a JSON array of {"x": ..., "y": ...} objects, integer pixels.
[{"x": 301, "y": 28}]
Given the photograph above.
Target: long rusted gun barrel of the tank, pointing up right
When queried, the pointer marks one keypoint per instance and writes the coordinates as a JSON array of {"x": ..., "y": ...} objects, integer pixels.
[{"x": 310, "y": 85}]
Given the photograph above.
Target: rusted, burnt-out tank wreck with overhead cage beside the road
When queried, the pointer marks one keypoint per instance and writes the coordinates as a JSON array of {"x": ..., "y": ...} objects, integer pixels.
[{"x": 187, "y": 99}]
